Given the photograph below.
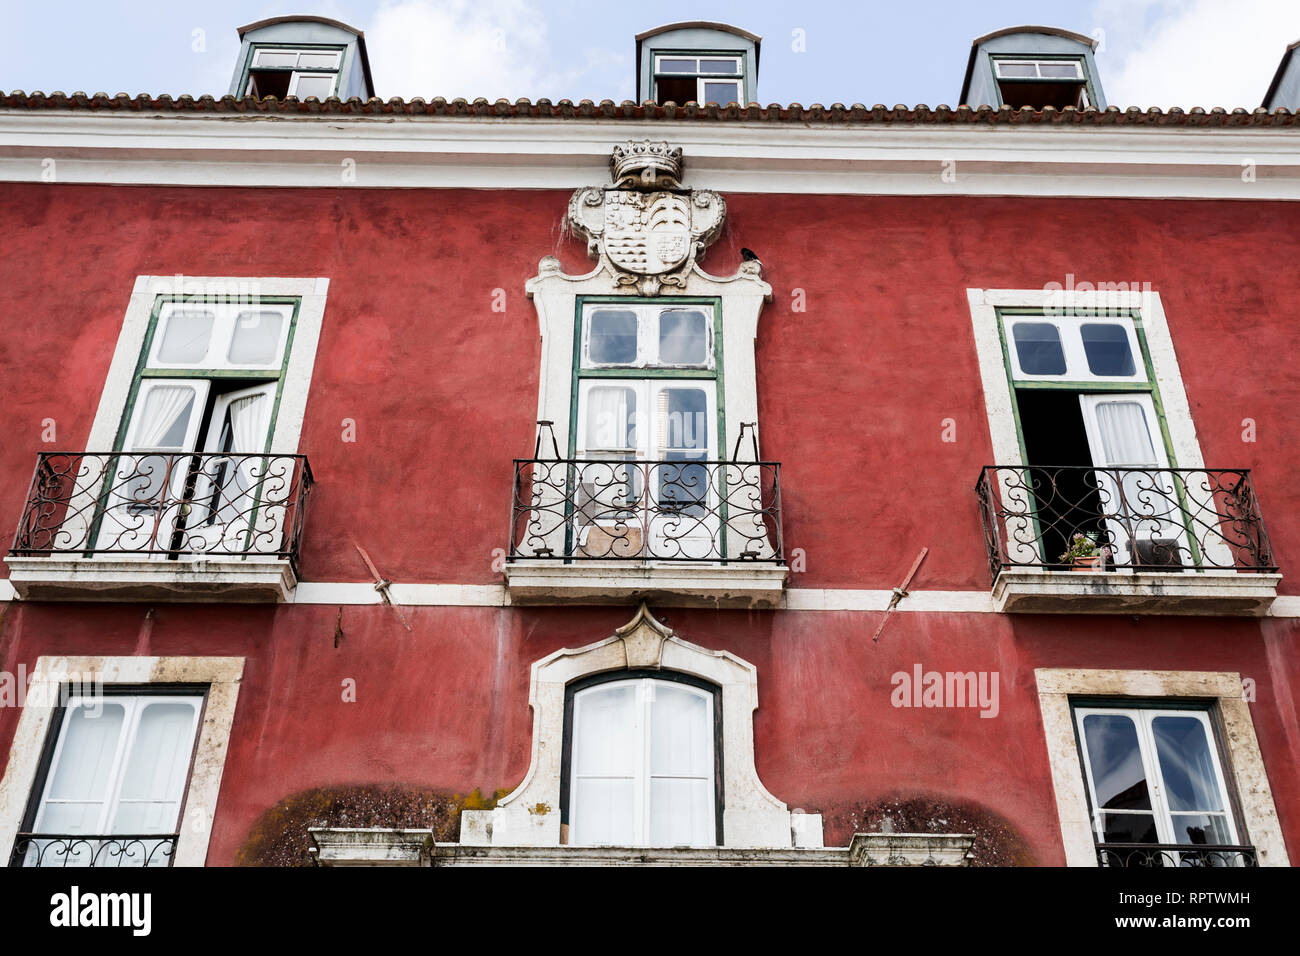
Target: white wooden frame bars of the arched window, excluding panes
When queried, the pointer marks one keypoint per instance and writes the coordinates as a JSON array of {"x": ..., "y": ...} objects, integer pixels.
[{"x": 644, "y": 778}]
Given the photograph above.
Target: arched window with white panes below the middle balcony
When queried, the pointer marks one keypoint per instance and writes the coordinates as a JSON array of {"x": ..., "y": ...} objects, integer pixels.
[{"x": 643, "y": 762}]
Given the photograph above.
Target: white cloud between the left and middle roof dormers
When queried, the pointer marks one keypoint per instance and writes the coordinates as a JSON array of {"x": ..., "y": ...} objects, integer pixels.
[{"x": 495, "y": 49}]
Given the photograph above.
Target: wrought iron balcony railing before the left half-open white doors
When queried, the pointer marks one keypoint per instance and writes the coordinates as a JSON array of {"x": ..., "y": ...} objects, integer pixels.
[{"x": 164, "y": 505}]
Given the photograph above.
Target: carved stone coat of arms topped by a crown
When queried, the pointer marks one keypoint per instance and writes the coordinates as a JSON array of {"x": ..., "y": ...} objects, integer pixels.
[{"x": 647, "y": 230}]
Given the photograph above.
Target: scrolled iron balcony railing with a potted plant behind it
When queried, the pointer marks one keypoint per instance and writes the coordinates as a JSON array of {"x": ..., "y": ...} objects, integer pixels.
[{"x": 1139, "y": 520}]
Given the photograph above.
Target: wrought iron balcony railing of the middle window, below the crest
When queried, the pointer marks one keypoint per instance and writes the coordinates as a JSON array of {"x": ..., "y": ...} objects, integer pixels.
[{"x": 644, "y": 511}]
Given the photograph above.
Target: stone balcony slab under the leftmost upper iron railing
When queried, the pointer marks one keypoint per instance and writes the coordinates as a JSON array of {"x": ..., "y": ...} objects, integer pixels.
[{"x": 123, "y": 579}]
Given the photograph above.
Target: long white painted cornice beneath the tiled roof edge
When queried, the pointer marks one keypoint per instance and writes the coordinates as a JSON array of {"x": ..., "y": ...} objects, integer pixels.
[{"x": 883, "y": 159}]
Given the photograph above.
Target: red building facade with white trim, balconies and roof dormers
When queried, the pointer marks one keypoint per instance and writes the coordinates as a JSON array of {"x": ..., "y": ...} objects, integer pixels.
[{"x": 404, "y": 482}]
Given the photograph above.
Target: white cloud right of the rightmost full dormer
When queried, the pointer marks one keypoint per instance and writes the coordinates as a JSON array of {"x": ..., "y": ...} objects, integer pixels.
[{"x": 1194, "y": 53}]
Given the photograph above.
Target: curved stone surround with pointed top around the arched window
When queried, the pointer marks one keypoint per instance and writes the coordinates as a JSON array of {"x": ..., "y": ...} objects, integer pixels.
[{"x": 752, "y": 816}]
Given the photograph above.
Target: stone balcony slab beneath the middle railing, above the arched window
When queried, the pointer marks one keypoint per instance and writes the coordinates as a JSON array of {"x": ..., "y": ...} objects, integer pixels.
[{"x": 738, "y": 585}]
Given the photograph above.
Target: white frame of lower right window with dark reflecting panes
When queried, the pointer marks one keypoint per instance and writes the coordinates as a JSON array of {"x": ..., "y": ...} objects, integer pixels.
[{"x": 1154, "y": 773}]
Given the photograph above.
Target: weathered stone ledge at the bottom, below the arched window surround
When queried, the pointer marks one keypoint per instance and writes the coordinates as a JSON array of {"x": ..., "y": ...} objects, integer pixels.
[{"x": 380, "y": 847}]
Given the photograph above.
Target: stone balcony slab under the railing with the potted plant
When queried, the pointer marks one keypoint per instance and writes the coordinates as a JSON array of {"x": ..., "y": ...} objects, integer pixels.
[{"x": 1124, "y": 592}]
